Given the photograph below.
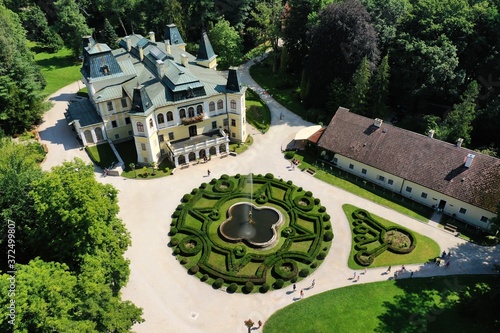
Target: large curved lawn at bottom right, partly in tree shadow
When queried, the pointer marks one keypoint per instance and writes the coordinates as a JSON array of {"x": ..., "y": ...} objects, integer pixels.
[{"x": 406, "y": 305}]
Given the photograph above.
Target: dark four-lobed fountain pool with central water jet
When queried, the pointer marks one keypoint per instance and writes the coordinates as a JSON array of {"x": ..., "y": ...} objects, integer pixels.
[{"x": 258, "y": 226}]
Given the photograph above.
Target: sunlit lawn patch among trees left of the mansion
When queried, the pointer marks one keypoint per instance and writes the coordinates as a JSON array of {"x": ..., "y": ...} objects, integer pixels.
[{"x": 59, "y": 69}]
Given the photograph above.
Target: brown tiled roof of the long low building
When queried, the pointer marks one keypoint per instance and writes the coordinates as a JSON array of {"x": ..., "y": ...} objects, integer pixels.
[{"x": 426, "y": 161}]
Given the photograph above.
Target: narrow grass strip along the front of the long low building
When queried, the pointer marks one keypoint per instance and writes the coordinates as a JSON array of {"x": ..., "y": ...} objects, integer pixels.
[{"x": 367, "y": 190}]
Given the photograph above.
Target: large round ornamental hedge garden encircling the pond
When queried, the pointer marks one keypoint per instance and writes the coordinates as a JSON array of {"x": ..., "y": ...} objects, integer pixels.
[{"x": 304, "y": 237}]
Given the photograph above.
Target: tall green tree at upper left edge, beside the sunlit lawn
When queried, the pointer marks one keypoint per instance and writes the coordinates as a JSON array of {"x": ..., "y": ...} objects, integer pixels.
[{"x": 21, "y": 81}]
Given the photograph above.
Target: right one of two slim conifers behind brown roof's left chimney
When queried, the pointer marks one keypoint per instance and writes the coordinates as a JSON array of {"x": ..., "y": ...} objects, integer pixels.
[{"x": 380, "y": 89}]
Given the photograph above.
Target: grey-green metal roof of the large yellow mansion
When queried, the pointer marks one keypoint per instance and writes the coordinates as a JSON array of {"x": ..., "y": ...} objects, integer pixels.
[{"x": 165, "y": 78}]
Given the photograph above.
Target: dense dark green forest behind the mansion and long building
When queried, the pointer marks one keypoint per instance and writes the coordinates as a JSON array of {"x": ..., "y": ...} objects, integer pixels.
[{"x": 422, "y": 64}]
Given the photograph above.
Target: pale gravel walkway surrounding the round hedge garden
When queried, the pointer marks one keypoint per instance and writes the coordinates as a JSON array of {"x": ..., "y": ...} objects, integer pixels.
[{"x": 174, "y": 301}]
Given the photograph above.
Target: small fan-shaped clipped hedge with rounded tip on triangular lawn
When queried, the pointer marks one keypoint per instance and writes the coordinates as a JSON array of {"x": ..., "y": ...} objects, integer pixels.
[{"x": 371, "y": 238}]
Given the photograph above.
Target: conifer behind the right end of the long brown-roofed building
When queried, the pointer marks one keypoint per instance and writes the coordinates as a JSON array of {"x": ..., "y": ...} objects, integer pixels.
[{"x": 459, "y": 120}]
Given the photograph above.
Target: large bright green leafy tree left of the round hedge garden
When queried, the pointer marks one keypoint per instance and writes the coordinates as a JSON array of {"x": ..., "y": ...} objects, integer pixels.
[{"x": 77, "y": 217}]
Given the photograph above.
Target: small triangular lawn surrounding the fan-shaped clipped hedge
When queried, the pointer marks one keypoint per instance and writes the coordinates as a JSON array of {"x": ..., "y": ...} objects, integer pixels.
[{"x": 426, "y": 250}]
